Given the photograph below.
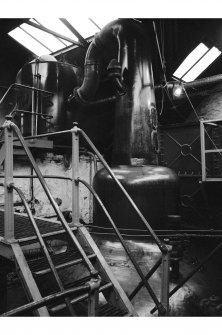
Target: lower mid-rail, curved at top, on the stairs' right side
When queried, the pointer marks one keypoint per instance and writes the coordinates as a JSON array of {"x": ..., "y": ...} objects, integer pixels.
[{"x": 131, "y": 257}]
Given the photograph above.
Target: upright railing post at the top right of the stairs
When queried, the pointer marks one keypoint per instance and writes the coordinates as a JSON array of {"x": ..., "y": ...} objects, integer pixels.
[{"x": 75, "y": 174}]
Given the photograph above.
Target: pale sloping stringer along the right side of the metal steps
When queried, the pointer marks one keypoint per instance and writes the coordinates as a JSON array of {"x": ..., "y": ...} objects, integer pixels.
[{"x": 117, "y": 297}]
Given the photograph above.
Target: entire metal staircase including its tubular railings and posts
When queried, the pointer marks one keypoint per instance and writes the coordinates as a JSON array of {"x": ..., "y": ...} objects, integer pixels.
[{"x": 75, "y": 279}]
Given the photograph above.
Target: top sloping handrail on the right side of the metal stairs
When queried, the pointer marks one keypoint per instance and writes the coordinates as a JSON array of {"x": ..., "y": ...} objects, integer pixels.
[{"x": 160, "y": 244}]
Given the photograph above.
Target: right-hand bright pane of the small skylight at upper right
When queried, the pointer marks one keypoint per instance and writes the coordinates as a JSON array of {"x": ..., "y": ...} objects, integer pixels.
[{"x": 202, "y": 64}]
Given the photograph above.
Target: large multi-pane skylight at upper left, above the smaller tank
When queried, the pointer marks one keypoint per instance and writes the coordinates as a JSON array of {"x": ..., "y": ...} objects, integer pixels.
[{"x": 41, "y": 42}]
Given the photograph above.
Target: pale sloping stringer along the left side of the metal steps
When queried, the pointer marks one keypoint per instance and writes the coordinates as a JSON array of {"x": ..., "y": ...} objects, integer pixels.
[{"x": 27, "y": 279}]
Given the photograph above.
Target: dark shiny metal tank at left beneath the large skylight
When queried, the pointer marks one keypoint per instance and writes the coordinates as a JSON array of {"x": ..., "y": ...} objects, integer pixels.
[{"x": 50, "y": 75}]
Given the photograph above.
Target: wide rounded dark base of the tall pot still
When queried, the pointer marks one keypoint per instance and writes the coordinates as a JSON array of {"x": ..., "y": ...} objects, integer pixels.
[{"x": 154, "y": 189}]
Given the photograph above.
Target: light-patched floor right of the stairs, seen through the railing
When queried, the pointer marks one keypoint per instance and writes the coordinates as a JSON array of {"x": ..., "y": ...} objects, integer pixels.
[{"x": 185, "y": 302}]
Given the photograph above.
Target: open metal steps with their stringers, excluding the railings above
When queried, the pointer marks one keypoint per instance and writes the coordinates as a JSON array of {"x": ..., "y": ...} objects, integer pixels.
[{"x": 48, "y": 275}]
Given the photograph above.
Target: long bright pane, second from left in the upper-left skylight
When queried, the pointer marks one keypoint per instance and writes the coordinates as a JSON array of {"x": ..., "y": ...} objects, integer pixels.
[{"x": 47, "y": 39}]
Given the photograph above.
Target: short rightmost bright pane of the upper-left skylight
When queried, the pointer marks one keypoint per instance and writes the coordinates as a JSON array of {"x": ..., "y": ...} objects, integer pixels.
[{"x": 84, "y": 26}]
